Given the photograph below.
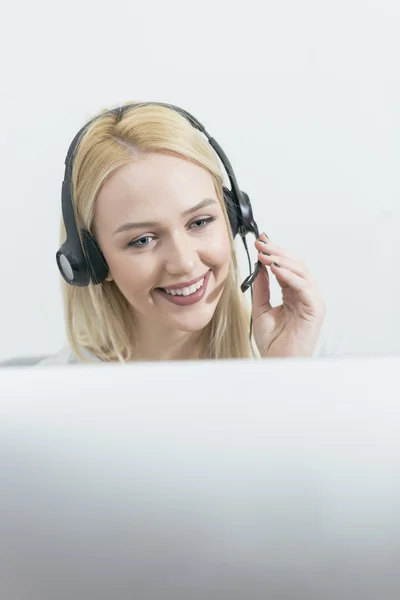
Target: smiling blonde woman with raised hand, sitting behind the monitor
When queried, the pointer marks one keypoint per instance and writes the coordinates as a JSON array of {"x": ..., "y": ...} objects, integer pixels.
[{"x": 148, "y": 199}]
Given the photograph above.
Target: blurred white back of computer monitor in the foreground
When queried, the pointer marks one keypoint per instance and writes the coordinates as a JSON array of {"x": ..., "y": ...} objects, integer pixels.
[{"x": 228, "y": 479}]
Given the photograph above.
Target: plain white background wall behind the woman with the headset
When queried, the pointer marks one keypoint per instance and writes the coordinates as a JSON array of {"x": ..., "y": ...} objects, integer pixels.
[{"x": 304, "y": 97}]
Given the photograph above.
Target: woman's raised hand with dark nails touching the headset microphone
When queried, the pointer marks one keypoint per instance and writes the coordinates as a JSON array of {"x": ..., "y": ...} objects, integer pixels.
[{"x": 293, "y": 328}]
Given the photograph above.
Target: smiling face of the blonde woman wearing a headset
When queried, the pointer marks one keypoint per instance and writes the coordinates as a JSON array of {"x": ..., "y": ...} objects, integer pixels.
[{"x": 161, "y": 228}]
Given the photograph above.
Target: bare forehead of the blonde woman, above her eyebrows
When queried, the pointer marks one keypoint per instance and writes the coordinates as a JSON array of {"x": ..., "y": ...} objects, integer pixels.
[{"x": 153, "y": 186}]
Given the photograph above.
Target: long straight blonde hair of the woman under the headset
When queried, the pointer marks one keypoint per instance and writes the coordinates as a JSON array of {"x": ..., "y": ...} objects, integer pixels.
[{"x": 98, "y": 317}]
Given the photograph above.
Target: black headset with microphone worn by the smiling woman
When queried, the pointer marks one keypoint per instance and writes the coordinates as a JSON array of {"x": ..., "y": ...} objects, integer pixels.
[{"x": 81, "y": 265}]
